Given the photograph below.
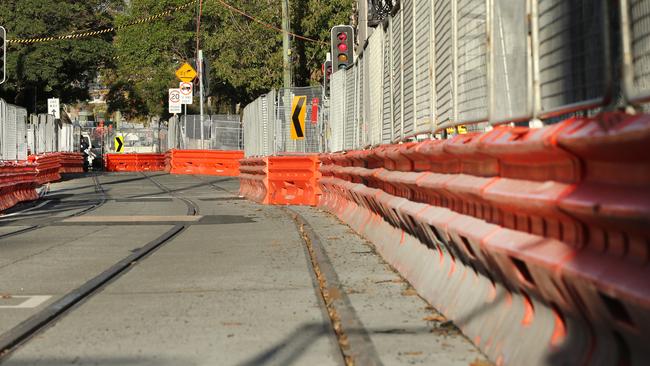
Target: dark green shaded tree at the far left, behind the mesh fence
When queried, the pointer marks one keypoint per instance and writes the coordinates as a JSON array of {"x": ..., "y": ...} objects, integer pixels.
[{"x": 62, "y": 68}]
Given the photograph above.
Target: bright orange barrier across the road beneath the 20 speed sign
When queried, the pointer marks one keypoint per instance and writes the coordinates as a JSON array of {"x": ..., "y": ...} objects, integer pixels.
[{"x": 204, "y": 162}]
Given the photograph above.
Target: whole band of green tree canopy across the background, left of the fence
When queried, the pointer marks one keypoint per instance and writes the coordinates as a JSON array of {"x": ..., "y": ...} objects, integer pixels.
[{"x": 137, "y": 63}]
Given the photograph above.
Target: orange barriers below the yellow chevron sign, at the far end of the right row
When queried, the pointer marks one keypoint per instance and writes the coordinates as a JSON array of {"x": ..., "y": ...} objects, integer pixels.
[{"x": 281, "y": 180}]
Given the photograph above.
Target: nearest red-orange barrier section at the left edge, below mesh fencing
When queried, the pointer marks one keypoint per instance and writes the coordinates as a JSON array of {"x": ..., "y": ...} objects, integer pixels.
[{"x": 17, "y": 183}]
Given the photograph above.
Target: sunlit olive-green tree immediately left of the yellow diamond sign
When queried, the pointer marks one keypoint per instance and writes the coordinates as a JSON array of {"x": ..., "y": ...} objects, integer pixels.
[{"x": 147, "y": 56}]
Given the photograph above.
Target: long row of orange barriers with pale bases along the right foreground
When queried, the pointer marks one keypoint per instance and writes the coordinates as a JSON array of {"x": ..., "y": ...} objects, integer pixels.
[{"x": 535, "y": 242}]
